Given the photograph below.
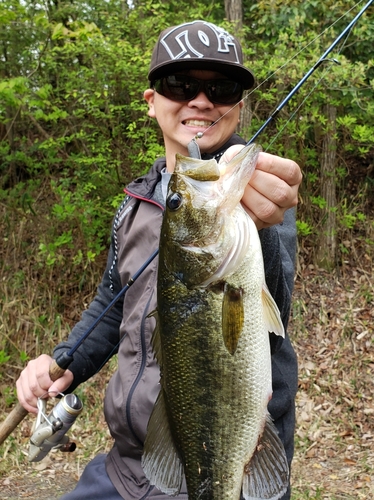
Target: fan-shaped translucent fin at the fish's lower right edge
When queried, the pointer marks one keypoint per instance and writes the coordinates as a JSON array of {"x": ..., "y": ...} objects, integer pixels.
[{"x": 267, "y": 474}]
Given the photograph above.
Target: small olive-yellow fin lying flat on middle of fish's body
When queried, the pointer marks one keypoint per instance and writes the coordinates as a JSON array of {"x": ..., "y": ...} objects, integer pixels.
[{"x": 232, "y": 317}]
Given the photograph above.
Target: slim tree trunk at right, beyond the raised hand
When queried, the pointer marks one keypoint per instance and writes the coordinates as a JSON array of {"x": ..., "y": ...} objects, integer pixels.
[{"x": 326, "y": 252}]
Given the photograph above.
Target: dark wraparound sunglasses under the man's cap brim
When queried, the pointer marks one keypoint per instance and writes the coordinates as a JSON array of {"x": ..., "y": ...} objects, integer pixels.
[{"x": 185, "y": 88}]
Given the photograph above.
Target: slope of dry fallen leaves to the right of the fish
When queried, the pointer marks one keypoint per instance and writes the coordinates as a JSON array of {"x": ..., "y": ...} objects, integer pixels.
[{"x": 331, "y": 330}]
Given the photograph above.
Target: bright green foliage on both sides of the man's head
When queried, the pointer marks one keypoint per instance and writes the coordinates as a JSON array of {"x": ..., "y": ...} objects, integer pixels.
[{"x": 72, "y": 111}]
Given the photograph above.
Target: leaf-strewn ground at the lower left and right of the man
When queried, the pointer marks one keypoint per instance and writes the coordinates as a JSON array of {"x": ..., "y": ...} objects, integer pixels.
[{"x": 331, "y": 326}]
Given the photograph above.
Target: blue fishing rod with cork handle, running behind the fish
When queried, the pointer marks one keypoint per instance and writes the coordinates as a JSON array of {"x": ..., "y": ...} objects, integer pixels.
[{"x": 59, "y": 365}]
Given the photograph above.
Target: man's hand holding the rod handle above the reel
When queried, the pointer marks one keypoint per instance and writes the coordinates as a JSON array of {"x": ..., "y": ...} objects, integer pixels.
[{"x": 34, "y": 382}]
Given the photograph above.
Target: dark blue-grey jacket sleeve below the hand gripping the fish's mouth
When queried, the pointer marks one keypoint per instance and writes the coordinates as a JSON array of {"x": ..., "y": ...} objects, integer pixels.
[{"x": 279, "y": 252}]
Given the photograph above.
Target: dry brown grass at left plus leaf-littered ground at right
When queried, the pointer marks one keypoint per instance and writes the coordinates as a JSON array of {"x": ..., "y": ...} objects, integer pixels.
[{"x": 332, "y": 330}]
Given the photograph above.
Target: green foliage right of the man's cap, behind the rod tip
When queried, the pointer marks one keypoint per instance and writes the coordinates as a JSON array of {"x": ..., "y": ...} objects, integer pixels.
[{"x": 276, "y": 32}]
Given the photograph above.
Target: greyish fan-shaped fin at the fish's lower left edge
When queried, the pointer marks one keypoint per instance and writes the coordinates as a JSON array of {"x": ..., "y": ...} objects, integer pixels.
[{"x": 161, "y": 462}]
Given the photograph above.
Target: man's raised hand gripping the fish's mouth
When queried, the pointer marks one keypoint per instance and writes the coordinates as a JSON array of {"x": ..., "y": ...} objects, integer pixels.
[{"x": 272, "y": 188}]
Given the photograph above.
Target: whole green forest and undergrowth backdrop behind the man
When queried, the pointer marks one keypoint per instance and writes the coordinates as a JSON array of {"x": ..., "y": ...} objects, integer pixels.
[{"x": 74, "y": 131}]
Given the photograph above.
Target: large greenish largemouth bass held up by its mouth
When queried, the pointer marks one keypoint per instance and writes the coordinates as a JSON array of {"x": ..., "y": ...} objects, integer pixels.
[{"x": 210, "y": 420}]
